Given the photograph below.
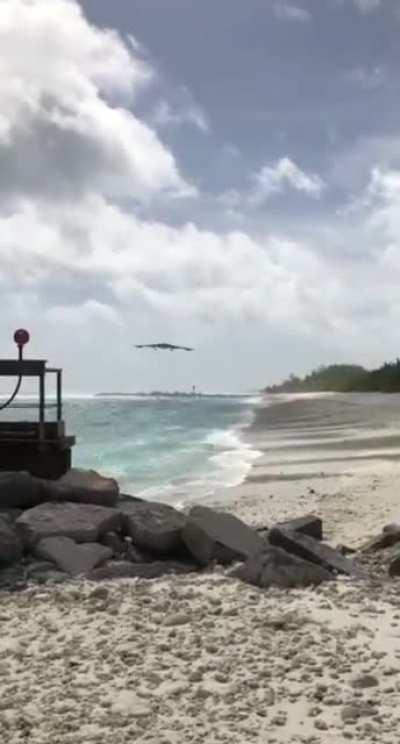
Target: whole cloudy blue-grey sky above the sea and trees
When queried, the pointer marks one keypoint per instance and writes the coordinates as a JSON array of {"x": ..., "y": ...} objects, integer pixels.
[{"x": 223, "y": 175}]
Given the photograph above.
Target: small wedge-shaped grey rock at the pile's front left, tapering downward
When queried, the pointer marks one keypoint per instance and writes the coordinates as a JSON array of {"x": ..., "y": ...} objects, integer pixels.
[{"x": 70, "y": 557}]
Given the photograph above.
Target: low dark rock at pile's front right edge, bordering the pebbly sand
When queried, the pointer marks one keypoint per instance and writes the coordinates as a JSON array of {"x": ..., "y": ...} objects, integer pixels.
[{"x": 275, "y": 567}]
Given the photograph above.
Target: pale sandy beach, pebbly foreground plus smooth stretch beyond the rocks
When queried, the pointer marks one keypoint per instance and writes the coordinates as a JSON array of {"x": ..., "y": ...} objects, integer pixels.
[{"x": 205, "y": 658}]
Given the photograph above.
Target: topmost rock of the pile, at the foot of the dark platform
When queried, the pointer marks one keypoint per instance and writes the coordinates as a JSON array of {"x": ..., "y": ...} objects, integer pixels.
[{"x": 83, "y": 487}]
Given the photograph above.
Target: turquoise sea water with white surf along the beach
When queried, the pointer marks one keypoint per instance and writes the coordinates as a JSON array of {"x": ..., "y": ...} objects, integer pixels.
[{"x": 170, "y": 449}]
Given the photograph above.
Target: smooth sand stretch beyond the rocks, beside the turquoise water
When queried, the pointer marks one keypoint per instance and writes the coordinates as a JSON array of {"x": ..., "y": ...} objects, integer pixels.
[{"x": 322, "y": 454}]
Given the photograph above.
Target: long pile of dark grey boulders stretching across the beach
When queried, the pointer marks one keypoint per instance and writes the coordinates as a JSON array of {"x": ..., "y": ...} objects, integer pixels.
[{"x": 82, "y": 525}]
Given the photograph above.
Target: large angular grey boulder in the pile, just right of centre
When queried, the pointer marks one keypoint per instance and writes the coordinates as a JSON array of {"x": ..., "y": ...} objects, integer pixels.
[{"x": 210, "y": 535}]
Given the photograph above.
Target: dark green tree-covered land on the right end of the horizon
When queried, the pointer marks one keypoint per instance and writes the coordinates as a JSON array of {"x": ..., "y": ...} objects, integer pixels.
[{"x": 343, "y": 378}]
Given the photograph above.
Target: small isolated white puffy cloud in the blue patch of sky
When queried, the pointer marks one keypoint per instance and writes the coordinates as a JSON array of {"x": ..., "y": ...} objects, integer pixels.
[{"x": 282, "y": 175}]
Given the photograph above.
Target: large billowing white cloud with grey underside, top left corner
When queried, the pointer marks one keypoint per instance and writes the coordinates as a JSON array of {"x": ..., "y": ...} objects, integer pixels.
[{"x": 67, "y": 90}]
